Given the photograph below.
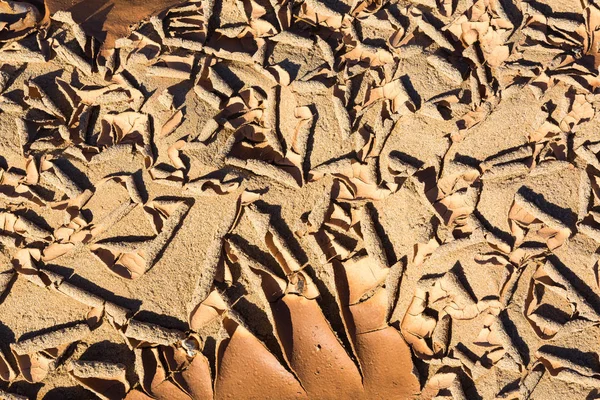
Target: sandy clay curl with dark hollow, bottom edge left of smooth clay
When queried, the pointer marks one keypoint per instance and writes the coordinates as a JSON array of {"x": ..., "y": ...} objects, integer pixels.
[{"x": 106, "y": 380}]
